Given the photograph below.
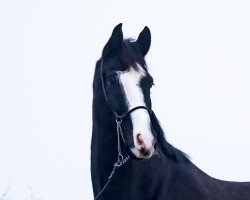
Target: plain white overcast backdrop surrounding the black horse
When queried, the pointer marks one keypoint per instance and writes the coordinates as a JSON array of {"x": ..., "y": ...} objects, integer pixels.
[{"x": 200, "y": 59}]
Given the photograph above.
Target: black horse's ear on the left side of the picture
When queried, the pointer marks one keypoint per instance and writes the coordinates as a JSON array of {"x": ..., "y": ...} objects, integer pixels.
[{"x": 114, "y": 42}]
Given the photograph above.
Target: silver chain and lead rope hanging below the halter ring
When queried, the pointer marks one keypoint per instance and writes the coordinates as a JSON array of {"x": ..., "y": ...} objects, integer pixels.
[{"x": 120, "y": 159}]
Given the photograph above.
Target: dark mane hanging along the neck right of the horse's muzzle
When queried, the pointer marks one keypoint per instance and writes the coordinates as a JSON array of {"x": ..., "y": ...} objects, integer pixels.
[{"x": 166, "y": 148}]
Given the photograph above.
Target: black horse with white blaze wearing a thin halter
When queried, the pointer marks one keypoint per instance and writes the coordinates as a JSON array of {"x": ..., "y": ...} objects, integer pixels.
[{"x": 130, "y": 156}]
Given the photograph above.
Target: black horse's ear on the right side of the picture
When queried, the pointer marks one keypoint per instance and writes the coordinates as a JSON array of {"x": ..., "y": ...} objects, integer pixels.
[{"x": 144, "y": 40}]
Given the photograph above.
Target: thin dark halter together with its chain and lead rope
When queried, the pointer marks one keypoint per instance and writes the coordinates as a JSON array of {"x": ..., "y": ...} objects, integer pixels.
[{"x": 118, "y": 119}]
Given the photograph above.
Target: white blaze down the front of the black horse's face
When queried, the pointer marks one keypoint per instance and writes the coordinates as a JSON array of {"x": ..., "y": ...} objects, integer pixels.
[{"x": 130, "y": 81}]
